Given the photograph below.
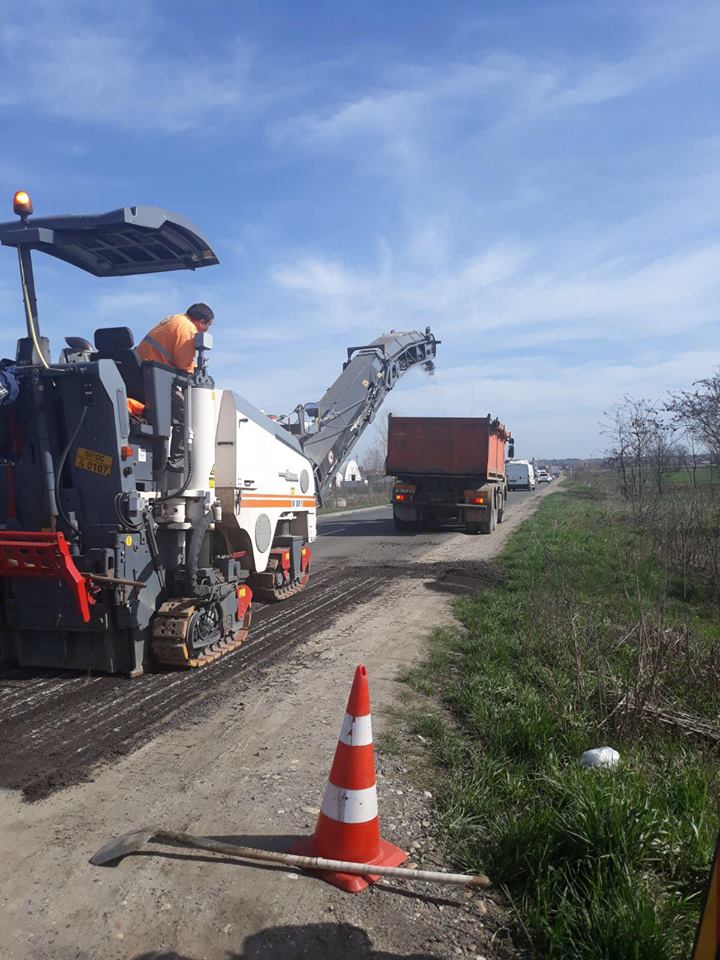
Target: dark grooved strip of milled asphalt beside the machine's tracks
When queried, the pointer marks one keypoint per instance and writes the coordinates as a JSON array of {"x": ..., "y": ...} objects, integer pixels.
[{"x": 56, "y": 727}]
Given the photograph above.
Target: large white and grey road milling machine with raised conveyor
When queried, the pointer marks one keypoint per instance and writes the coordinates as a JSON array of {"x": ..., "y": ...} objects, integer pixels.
[{"x": 108, "y": 560}]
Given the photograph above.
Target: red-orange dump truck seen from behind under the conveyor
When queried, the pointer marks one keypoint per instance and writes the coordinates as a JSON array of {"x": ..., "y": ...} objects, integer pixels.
[{"x": 448, "y": 469}]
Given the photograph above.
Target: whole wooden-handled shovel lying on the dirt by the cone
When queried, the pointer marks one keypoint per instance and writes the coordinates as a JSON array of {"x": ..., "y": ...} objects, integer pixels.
[{"x": 137, "y": 839}]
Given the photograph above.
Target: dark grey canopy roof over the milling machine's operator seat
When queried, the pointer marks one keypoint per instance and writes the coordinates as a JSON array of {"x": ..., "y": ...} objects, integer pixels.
[{"x": 127, "y": 241}]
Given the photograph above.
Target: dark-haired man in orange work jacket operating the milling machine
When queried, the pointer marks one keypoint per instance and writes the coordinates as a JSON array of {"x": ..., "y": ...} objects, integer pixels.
[{"x": 172, "y": 342}]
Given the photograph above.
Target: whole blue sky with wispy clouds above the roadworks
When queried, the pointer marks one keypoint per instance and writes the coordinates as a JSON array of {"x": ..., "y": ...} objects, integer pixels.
[{"x": 538, "y": 181}]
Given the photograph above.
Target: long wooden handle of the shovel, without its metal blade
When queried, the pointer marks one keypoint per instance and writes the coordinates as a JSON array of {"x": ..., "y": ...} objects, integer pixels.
[{"x": 317, "y": 863}]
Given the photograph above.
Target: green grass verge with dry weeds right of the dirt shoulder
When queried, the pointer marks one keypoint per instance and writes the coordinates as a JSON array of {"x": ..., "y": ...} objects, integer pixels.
[{"x": 602, "y": 864}]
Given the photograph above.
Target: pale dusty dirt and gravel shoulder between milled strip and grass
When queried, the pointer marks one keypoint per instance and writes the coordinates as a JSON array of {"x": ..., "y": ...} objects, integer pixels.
[{"x": 253, "y": 769}]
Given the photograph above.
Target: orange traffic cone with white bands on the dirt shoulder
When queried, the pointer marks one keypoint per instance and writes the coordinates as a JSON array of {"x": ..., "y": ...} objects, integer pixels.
[{"x": 348, "y": 827}]
